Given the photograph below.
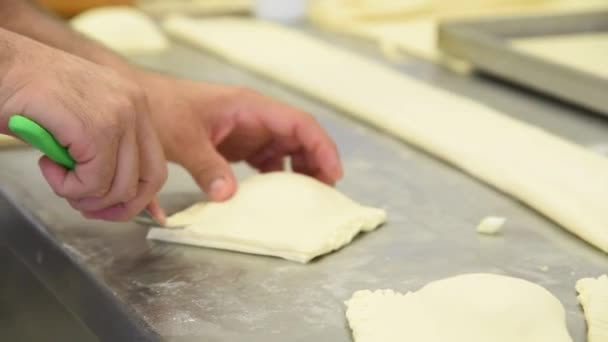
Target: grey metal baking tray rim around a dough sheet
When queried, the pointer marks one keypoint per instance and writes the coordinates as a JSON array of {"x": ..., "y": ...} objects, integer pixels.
[{"x": 485, "y": 44}]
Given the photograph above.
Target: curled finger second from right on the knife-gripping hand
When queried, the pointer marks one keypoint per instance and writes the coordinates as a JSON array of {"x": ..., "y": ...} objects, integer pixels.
[{"x": 126, "y": 179}]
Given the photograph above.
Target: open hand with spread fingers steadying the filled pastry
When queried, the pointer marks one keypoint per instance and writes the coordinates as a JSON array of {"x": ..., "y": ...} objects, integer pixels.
[{"x": 204, "y": 127}]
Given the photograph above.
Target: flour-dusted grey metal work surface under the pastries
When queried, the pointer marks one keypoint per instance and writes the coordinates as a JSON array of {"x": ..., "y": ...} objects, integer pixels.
[{"x": 195, "y": 294}]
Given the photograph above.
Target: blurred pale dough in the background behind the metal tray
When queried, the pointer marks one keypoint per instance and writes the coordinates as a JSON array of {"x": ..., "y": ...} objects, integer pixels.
[{"x": 414, "y": 28}]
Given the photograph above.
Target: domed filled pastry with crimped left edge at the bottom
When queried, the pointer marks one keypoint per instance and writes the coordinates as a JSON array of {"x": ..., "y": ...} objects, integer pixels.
[{"x": 465, "y": 308}]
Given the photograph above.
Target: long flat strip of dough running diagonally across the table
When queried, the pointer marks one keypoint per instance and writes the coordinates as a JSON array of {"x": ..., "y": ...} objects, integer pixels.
[{"x": 564, "y": 181}]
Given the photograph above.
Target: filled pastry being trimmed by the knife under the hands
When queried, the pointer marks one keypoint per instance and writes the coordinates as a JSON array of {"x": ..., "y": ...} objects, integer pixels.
[{"x": 281, "y": 214}]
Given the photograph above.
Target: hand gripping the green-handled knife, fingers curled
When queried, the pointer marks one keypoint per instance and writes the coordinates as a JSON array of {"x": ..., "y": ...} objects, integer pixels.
[{"x": 103, "y": 120}]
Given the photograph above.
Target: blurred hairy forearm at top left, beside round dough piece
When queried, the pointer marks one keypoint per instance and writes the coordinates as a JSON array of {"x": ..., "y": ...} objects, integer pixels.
[{"x": 26, "y": 18}]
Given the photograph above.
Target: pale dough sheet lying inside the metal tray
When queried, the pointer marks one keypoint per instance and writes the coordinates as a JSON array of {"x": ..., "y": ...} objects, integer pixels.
[{"x": 584, "y": 52}]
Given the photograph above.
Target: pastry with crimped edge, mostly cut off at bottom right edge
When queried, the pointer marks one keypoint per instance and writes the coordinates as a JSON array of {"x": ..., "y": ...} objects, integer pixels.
[{"x": 593, "y": 296}]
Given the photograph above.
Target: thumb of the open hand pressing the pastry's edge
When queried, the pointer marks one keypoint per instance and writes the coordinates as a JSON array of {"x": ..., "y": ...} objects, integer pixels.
[{"x": 212, "y": 173}]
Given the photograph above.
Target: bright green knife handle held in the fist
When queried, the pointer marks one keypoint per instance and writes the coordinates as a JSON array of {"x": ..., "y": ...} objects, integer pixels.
[{"x": 40, "y": 138}]
